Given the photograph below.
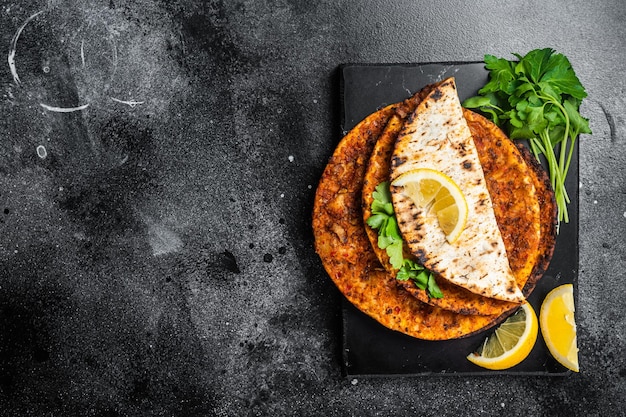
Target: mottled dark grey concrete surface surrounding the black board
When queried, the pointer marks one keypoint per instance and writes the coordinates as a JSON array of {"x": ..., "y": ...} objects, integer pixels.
[{"x": 156, "y": 256}]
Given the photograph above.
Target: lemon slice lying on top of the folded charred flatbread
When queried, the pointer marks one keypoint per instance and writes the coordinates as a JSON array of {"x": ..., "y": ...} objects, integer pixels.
[{"x": 428, "y": 187}]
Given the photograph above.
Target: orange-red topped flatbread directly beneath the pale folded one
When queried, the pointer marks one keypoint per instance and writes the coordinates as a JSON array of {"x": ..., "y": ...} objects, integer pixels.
[{"x": 517, "y": 185}]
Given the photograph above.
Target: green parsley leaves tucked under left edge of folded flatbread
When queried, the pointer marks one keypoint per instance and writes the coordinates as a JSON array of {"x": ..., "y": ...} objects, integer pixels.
[{"x": 383, "y": 219}]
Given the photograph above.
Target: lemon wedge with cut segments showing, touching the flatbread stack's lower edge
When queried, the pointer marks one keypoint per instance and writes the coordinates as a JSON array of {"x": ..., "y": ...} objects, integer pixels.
[{"x": 510, "y": 343}]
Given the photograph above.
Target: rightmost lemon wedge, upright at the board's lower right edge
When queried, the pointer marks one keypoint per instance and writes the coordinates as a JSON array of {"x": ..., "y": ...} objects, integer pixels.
[{"x": 558, "y": 326}]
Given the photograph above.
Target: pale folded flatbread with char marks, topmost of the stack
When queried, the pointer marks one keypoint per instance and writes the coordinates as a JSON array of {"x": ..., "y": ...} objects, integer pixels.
[{"x": 437, "y": 136}]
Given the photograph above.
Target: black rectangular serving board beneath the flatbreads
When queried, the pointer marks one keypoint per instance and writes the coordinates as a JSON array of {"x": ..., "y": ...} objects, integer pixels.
[{"x": 370, "y": 349}]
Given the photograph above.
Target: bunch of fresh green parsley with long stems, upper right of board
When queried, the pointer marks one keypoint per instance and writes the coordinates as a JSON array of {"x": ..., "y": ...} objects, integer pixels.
[{"x": 537, "y": 98}]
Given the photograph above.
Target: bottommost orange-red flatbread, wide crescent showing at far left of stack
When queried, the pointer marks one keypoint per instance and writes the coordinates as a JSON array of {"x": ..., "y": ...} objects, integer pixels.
[{"x": 348, "y": 257}]
